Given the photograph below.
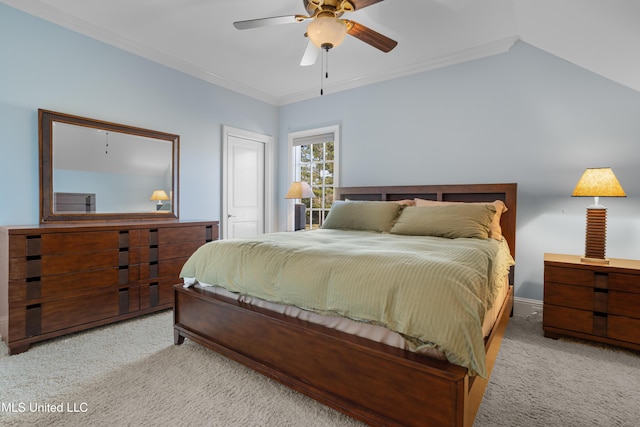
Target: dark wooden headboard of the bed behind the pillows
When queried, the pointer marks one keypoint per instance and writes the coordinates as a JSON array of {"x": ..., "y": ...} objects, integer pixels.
[{"x": 448, "y": 193}]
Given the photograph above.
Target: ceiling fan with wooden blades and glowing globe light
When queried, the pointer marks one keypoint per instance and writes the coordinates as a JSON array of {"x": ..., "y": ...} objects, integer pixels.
[{"x": 326, "y": 30}]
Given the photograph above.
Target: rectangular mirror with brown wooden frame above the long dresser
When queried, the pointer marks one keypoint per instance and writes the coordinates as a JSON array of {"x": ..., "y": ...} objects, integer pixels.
[{"x": 96, "y": 170}]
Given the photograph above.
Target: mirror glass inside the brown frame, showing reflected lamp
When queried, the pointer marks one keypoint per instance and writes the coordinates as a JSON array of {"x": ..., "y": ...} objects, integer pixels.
[{"x": 110, "y": 172}]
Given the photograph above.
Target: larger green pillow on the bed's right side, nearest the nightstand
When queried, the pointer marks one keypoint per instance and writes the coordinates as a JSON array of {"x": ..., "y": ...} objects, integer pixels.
[{"x": 452, "y": 221}]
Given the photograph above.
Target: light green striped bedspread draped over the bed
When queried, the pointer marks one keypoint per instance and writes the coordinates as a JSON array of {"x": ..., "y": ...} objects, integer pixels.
[{"x": 434, "y": 291}]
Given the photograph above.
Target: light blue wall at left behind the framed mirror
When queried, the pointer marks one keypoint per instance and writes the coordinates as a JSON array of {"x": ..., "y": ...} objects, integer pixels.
[{"x": 45, "y": 66}]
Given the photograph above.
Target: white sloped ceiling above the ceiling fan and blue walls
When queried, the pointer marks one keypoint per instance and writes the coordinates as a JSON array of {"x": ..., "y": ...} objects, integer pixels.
[{"x": 198, "y": 38}]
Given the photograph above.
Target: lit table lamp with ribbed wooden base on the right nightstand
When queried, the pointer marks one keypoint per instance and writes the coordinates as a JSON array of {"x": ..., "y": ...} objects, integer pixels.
[{"x": 596, "y": 183}]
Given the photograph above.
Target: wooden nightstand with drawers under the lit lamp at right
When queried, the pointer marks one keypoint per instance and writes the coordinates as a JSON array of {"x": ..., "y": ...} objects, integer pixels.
[{"x": 595, "y": 302}]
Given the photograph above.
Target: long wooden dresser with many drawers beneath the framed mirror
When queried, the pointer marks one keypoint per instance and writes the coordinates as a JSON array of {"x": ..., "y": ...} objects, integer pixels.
[{"x": 63, "y": 278}]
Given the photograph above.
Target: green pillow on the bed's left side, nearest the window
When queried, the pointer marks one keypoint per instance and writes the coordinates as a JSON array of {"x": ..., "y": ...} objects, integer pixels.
[{"x": 362, "y": 215}]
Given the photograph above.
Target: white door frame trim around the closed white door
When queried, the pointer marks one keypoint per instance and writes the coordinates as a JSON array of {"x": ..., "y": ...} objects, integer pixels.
[{"x": 267, "y": 140}]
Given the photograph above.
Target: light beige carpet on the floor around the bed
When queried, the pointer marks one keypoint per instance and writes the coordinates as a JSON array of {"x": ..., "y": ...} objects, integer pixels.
[{"x": 131, "y": 374}]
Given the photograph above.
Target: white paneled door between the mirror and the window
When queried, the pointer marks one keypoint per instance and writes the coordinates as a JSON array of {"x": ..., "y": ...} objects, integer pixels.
[{"x": 244, "y": 212}]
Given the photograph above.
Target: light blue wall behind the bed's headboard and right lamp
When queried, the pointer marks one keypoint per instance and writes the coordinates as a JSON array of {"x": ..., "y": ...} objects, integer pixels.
[{"x": 523, "y": 116}]
